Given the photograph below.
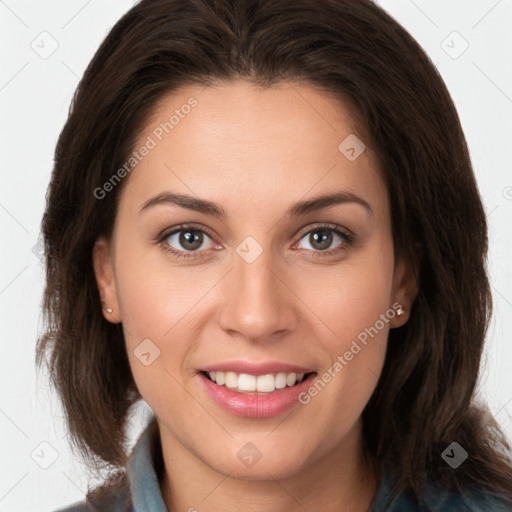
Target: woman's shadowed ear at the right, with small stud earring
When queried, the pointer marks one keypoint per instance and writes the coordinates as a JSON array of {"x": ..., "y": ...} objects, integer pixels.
[{"x": 405, "y": 289}]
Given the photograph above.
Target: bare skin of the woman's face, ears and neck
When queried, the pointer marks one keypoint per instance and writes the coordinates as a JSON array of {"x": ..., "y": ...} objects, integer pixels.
[{"x": 255, "y": 152}]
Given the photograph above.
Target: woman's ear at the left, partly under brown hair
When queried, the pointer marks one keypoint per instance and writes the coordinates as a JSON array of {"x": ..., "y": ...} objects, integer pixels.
[{"x": 102, "y": 258}]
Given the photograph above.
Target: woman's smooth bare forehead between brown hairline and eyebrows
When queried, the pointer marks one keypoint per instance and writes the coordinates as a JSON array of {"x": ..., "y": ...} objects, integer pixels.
[{"x": 236, "y": 143}]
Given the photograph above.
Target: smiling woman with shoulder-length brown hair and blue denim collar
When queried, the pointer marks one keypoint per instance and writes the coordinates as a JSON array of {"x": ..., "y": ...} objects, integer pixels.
[{"x": 264, "y": 222}]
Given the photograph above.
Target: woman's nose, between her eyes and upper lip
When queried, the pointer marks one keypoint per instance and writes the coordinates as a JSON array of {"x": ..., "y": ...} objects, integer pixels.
[{"x": 259, "y": 304}]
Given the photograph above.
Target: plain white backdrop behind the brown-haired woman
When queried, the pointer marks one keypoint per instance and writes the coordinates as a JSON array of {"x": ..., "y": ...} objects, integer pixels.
[{"x": 45, "y": 47}]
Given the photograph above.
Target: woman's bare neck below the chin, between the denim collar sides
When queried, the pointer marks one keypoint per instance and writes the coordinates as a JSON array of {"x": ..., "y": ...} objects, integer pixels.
[{"x": 340, "y": 481}]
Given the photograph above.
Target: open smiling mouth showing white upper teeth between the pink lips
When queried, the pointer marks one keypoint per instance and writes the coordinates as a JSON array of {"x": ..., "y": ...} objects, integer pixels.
[{"x": 246, "y": 383}]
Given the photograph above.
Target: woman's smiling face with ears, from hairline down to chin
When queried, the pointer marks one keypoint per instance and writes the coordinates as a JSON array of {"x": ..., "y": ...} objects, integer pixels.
[{"x": 271, "y": 282}]
